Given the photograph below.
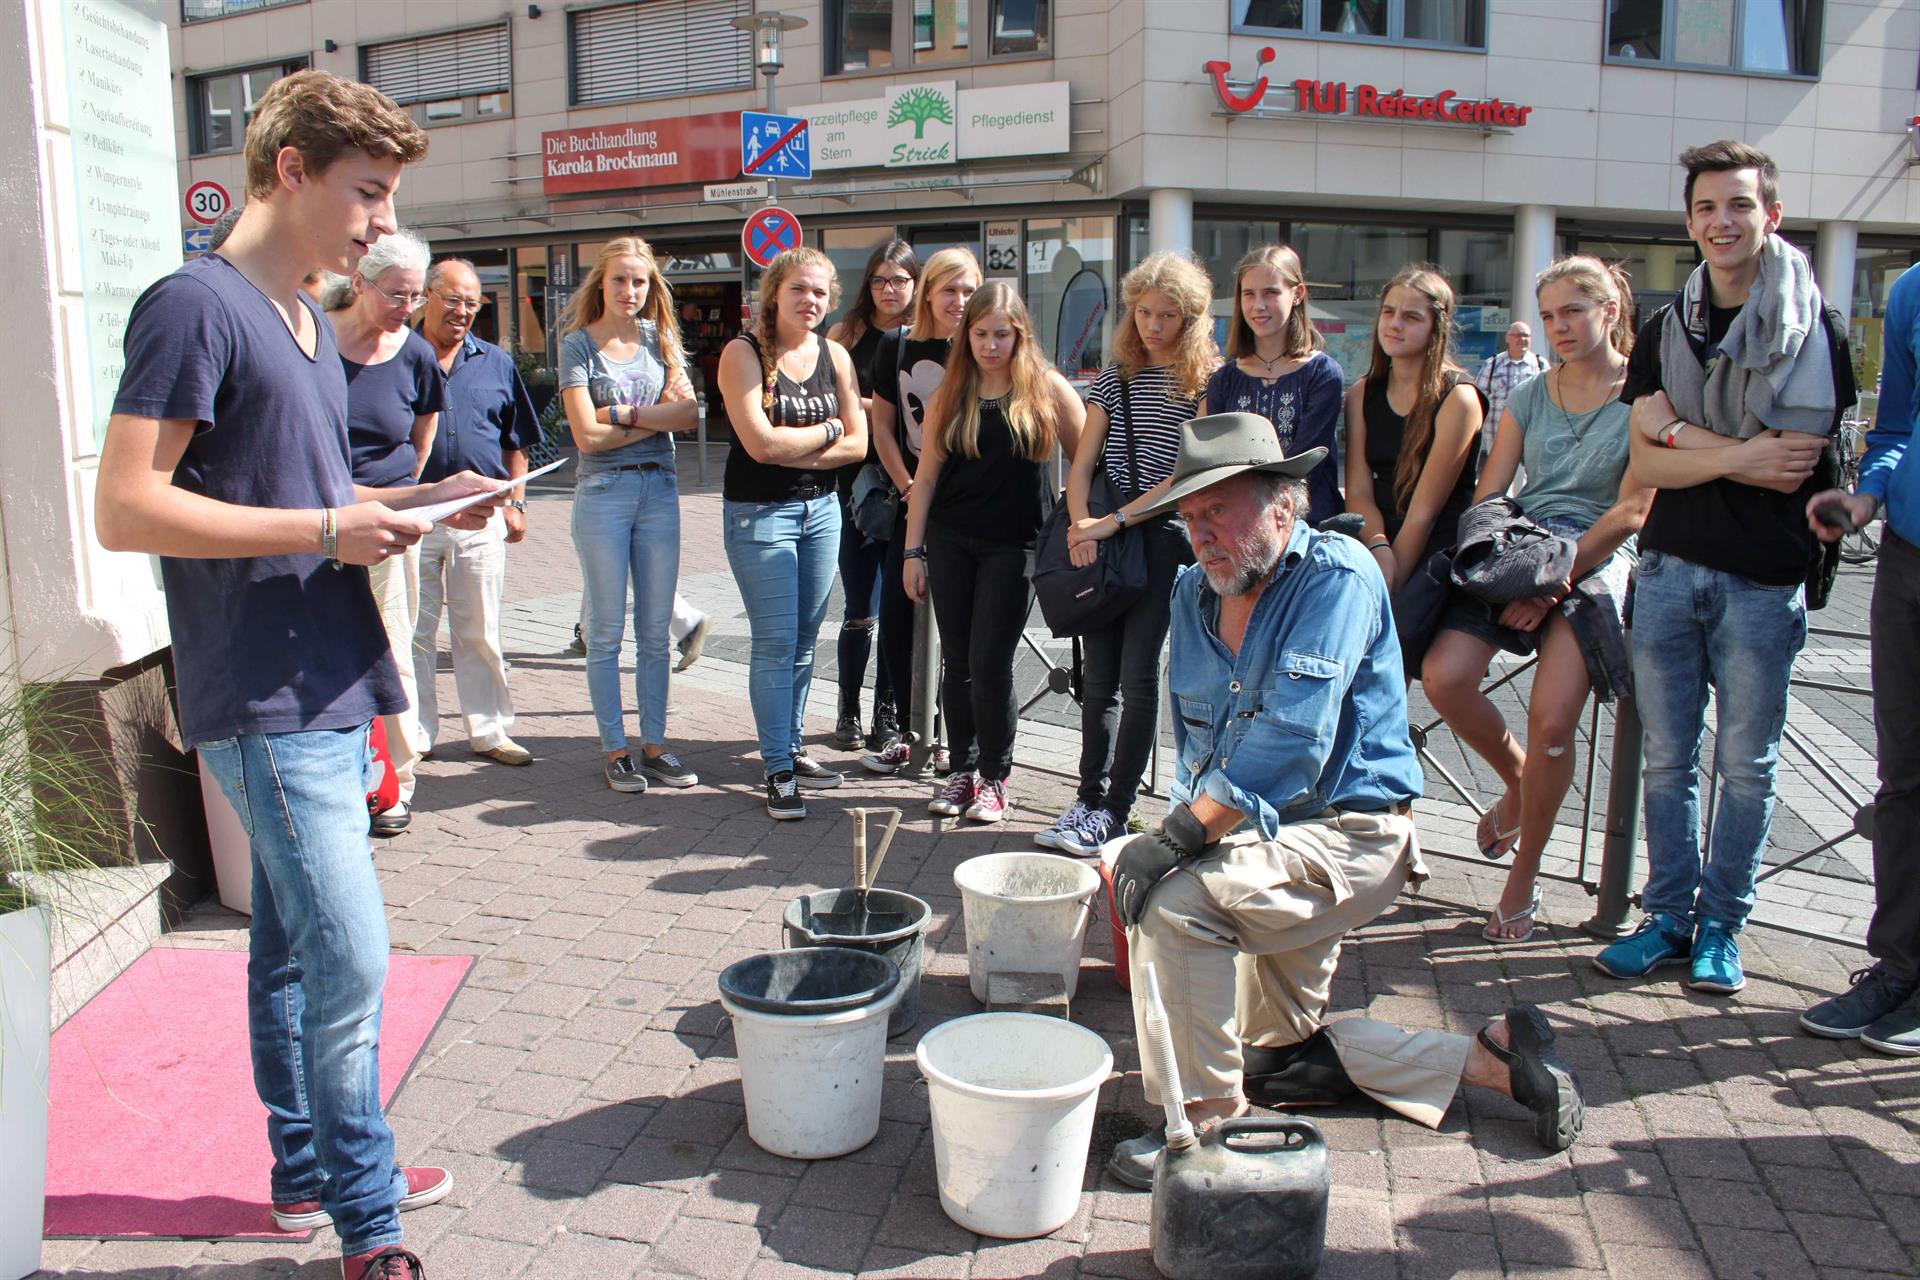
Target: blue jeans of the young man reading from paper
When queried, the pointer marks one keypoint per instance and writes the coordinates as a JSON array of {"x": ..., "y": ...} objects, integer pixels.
[{"x": 318, "y": 962}]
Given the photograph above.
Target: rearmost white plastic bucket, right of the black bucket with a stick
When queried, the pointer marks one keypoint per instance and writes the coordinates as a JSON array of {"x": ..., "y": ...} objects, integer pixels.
[{"x": 1024, "y": 914}]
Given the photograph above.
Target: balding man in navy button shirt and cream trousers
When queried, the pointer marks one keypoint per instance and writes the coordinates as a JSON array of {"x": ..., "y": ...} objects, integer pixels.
[{"x": 487, "y": 427}]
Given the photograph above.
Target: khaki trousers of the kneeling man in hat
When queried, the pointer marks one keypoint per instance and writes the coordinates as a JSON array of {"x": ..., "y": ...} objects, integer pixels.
[{"x": 1245, "y": 945}]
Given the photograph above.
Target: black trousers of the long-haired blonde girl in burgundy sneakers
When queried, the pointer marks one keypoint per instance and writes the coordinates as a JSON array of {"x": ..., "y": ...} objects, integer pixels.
[{"x": 982, "y": 592}]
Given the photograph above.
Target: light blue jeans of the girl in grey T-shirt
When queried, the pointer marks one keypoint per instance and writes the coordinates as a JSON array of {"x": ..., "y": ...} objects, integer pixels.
[{"x": 627, "y": 529}]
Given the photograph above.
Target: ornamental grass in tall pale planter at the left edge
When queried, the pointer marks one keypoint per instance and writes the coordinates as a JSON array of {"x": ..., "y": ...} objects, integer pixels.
[{"x": 57, "y": 820}]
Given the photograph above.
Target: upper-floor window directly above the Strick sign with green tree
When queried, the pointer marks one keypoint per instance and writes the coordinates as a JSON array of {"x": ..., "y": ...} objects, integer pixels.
[{"x": 880, "y": 36}]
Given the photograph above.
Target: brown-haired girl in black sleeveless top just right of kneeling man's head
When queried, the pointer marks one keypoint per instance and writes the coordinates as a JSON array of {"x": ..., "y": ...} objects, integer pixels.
[{"x": 1410, "y": 477}]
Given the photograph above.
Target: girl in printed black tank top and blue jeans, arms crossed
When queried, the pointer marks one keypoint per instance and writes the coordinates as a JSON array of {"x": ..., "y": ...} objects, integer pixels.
[{"x": 796, "y": 421}]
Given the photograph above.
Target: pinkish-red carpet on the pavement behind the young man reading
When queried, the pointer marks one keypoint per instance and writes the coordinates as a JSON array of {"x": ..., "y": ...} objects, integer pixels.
[{"x": 155, "y": 1126}]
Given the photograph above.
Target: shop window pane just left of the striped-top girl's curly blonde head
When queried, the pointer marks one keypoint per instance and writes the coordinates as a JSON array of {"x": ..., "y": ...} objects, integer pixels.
[{"x": 1070, "y": 293}]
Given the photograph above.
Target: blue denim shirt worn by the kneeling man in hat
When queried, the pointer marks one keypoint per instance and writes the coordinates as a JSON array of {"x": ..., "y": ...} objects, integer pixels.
[{"x": 1312, "y": 715}]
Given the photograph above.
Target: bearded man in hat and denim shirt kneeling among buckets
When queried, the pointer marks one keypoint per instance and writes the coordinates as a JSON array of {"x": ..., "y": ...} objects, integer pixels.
[{"x": 1293, "y": 820}]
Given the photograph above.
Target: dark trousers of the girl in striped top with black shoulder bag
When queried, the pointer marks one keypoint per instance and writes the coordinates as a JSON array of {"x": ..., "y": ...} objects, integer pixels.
[{"x": 1122, "y": 680}]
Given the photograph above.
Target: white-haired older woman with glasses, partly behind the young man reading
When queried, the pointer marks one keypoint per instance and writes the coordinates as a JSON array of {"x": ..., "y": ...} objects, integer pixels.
[{"x": 395, "y": 400}]
